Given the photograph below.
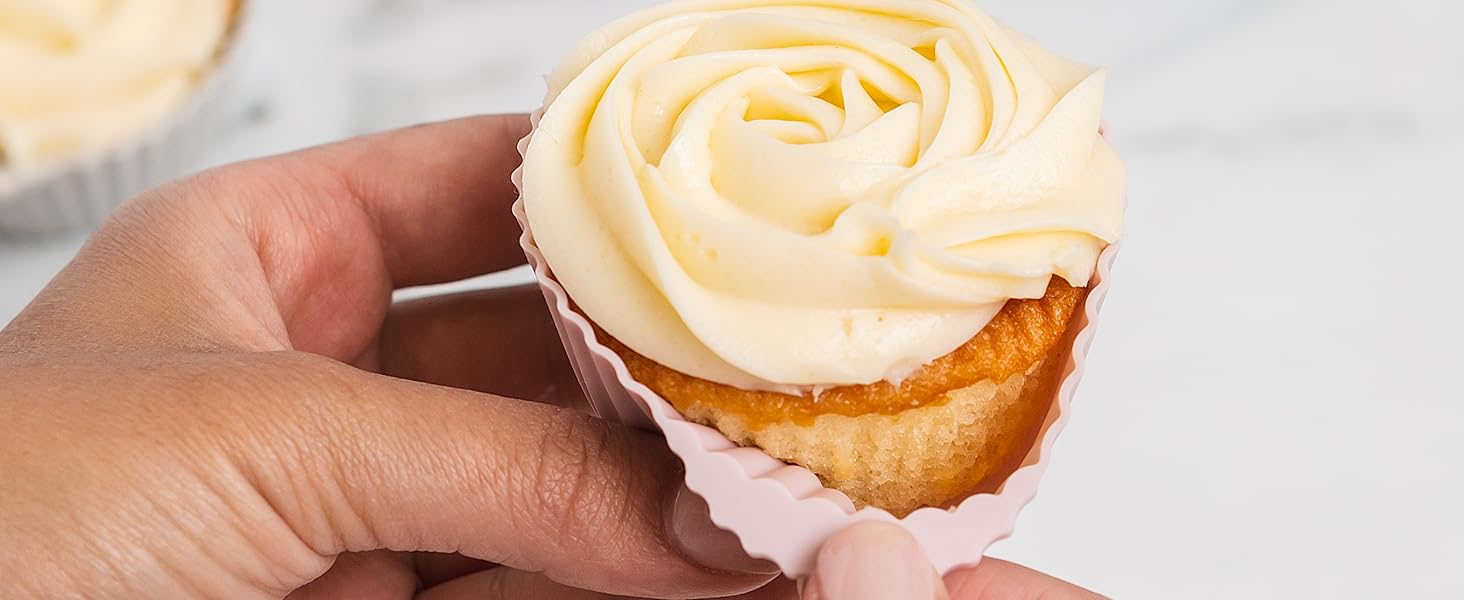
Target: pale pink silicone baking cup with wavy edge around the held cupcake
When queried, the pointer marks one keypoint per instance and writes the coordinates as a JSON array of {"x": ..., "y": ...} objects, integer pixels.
[{"x": 783, "y": 513}]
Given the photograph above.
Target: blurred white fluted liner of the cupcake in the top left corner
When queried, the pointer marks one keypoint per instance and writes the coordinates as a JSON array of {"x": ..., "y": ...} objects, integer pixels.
[{"x": 80, "y": 194}]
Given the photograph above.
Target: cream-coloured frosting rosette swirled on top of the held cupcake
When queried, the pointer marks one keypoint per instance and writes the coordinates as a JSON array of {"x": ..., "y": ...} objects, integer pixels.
[{"x": 772, "y": 194}]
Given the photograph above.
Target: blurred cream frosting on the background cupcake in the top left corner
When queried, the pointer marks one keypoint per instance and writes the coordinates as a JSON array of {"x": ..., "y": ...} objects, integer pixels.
[{"x": 78, "y": 75}]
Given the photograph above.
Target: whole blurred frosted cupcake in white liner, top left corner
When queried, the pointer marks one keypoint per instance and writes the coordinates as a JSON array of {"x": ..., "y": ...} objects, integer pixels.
[{"x": 103, "y": 100}]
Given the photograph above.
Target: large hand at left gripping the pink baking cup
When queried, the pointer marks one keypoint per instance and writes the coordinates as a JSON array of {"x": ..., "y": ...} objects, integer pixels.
[{"x": 219, "y": 399}]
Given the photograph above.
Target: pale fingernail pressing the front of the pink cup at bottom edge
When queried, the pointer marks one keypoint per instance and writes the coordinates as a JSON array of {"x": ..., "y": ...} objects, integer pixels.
[{"x": 873, "y": 561}]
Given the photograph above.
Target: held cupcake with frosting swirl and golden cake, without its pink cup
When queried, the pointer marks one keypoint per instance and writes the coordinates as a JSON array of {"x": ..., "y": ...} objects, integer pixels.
[{"x": 854, "y": 235}]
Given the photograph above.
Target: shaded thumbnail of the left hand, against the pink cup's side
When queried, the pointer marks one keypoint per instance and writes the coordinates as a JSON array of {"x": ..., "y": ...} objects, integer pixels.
[{"x": 698, "y": 539}]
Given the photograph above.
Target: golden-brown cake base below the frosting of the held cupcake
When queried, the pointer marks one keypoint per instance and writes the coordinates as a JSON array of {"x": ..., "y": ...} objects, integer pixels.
[{"x": 958, "y": 427}]
